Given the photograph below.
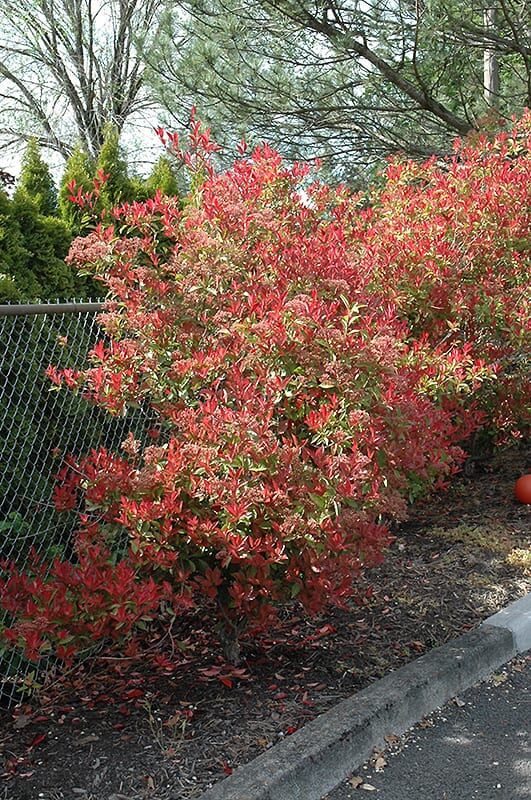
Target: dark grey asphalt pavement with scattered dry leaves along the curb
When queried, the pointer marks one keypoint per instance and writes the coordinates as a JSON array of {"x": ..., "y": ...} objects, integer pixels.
[{"x": 477, "y": 747}]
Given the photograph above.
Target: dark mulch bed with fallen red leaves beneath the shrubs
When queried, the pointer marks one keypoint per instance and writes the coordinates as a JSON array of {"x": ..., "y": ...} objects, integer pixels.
[{"x": 119, "y": 730}]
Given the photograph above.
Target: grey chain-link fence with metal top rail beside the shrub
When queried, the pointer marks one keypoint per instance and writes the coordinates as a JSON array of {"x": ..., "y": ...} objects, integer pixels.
[{"x": 39, "y": 427}]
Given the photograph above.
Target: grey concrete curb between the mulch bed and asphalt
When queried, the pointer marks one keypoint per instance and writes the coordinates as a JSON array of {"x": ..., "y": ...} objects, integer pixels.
[{"x": 315, "y": 759}]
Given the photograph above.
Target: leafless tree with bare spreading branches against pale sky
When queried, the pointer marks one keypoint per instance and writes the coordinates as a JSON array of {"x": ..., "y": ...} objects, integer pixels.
[{"x": 69, "y": 67}]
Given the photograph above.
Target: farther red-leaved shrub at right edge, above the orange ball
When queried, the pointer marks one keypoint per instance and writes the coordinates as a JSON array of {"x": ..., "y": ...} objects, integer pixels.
[{"x": 449, "y": 245}]
